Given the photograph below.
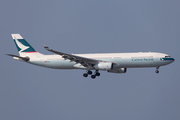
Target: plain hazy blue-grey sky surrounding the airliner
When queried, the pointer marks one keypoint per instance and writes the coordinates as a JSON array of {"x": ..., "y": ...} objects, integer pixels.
[{"x": 29, "y": 92}]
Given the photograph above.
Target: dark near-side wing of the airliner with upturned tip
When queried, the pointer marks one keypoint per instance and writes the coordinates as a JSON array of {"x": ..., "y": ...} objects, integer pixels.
[{"x": 86, "y": 62}]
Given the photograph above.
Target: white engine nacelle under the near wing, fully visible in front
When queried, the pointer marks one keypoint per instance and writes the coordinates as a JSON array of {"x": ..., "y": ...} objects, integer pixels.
[{"x": 104, "y": 66}]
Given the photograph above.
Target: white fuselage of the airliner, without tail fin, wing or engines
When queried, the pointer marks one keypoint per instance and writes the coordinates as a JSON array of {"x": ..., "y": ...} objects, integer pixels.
[{"x": 122, "y": 60}]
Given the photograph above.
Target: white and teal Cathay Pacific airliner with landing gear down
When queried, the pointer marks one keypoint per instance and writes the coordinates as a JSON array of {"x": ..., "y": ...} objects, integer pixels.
[{"x": 110, "y": 62}]
